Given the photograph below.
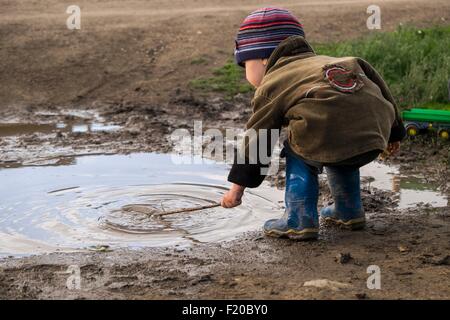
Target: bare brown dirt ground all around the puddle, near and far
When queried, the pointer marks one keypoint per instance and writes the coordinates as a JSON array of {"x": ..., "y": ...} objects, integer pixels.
[{"x": 130, "y": 64}]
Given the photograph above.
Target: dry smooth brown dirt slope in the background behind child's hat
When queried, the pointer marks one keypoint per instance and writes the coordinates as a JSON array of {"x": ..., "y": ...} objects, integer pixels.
[{"x": 141, "y": 52}]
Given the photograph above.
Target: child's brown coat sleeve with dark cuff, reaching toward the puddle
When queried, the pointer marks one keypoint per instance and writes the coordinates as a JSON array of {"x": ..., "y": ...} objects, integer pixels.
[{"x": 248, "y": 168}]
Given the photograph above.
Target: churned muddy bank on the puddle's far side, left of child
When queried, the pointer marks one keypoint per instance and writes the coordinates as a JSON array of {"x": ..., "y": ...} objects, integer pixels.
[{"x": 137, "y": 128}]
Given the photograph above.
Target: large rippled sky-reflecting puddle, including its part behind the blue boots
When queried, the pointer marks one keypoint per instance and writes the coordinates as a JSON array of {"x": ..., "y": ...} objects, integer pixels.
[{"x": 84, "y": 203}]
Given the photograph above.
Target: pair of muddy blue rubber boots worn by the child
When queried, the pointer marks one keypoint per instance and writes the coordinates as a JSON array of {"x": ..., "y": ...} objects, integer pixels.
[{"x": 301, "y": 219}]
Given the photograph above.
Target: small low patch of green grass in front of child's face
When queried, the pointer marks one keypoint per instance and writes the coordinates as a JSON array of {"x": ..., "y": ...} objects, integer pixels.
[{"x": 229, "y": 80}]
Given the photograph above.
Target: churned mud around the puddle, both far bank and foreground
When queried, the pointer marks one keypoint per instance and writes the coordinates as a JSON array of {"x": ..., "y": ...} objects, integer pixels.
[{"x": 411, "y": 245}]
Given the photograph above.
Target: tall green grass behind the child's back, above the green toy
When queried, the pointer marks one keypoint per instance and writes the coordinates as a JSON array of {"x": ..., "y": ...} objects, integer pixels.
[{"x": 415, "y": 63}]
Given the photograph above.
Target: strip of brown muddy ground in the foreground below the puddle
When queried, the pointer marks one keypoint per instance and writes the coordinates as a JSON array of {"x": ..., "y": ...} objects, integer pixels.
[{"x": 411, "y": 249}]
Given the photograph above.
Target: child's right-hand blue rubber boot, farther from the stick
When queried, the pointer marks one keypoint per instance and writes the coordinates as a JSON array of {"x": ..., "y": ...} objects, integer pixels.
[{"x": 347, "y": 210}]
